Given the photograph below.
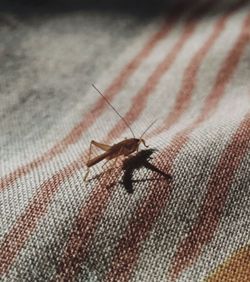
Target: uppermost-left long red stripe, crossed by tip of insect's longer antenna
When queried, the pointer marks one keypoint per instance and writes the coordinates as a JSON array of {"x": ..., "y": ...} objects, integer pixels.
[{"x": 91, "y": 116}]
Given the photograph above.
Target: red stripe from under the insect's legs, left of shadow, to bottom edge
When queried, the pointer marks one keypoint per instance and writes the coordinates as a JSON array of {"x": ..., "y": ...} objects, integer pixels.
[{"x": 83, "y": 230}]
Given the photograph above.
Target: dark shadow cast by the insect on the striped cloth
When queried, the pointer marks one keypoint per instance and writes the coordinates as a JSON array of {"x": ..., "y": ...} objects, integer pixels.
[{"x": 138, "y": 161}]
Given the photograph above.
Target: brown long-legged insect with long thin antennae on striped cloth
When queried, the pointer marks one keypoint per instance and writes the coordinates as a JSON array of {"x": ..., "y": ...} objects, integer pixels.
[{"x": 122, "y": 148}]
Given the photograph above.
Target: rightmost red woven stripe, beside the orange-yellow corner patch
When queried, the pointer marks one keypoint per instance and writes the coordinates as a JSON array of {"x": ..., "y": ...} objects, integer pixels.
[{"x": 214, "y": 202}]
